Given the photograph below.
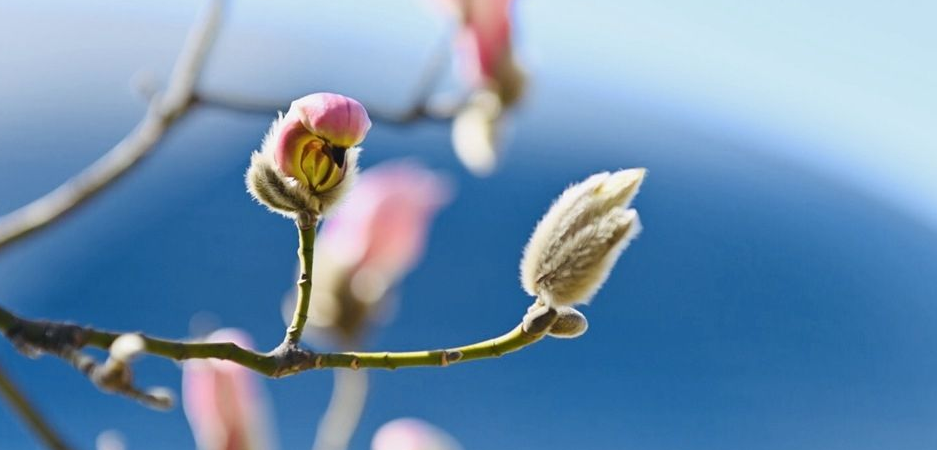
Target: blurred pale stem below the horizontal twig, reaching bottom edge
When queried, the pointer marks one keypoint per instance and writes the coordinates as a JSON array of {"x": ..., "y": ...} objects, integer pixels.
[{"x": 338, "y": 424}]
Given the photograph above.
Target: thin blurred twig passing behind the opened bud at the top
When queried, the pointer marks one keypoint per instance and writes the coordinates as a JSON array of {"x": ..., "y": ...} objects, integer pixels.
[{"x": 419, "y": 109}]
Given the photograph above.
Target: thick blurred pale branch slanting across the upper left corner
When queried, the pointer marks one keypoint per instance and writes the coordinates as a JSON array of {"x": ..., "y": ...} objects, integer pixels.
[{"x": 164, "y": 111}]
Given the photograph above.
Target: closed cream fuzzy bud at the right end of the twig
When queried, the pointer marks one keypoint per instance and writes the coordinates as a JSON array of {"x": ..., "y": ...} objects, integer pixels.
[{"x": 575, "y": 245}]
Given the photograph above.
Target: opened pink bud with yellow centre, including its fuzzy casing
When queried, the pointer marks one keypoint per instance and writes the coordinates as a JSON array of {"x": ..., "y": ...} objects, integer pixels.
[{"x": 308, "y": 155}]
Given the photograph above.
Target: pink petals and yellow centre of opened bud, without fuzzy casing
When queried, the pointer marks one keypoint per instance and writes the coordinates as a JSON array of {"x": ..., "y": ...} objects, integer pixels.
[{"x": 314, "y": 135}]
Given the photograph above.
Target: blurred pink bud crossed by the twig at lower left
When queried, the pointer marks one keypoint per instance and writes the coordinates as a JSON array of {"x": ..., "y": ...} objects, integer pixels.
[{"x": 224, "y": 402}]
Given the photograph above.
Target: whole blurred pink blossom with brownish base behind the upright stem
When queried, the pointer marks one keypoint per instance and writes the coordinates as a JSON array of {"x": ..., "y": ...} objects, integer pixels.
[{"x": 370, "y": 243}]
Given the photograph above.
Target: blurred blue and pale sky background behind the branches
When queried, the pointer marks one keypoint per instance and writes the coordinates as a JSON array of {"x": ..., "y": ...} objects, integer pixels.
[{"x": 782, "y": 294}]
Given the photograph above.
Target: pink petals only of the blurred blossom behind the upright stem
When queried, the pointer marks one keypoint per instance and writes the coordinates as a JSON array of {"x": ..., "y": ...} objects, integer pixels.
[{"x": 383, "y": 224}]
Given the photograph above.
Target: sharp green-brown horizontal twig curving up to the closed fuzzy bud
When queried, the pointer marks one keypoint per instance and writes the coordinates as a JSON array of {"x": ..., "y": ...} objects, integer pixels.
[{"x": 34, "y": 337}]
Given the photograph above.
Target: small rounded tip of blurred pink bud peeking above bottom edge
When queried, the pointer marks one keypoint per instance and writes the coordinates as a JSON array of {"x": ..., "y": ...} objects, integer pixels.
[{"x": 412, "y": 434}]
